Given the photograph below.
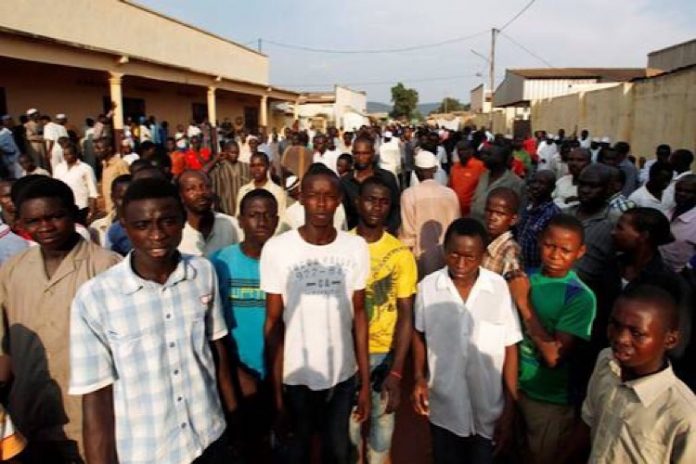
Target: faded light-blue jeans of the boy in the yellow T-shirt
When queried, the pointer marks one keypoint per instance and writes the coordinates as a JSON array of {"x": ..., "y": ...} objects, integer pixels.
[{"x": 381, "y": 424}]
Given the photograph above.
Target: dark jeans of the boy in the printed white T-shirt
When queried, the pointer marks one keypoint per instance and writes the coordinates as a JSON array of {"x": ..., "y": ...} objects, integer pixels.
[{"x": 326, "y": 411}]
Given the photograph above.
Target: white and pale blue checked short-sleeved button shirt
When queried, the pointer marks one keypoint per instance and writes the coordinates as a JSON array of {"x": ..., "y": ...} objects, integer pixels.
[{"x": 151, "y": 342}]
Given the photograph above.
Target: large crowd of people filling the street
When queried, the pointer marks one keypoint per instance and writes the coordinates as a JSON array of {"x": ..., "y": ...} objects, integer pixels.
[{"x": 225, "y": 295}]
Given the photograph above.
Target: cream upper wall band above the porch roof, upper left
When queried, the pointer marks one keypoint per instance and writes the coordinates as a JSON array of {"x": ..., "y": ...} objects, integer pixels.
[{"x": 117, "y": 26}]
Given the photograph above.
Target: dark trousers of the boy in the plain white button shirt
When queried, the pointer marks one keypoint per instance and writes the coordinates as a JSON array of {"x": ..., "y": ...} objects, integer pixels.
[{"x": 449, "y": 448}]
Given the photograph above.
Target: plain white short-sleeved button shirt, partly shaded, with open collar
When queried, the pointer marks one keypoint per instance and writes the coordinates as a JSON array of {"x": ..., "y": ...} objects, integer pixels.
[{"x": 466, "y": 343}]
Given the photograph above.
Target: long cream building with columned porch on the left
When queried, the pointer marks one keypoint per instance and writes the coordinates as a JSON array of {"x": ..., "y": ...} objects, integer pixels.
[{"x": 77, "y": 56}]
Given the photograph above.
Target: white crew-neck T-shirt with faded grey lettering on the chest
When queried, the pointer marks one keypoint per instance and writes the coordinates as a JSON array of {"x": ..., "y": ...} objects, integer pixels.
[{"x": 317, "y": 283}]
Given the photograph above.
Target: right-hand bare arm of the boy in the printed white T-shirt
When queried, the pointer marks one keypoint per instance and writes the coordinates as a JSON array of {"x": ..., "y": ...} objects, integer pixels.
[{"x": 360, "y": 339}]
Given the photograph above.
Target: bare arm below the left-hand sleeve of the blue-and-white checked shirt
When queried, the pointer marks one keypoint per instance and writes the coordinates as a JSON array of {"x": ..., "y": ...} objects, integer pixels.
[{"x": 98, "y": 429}]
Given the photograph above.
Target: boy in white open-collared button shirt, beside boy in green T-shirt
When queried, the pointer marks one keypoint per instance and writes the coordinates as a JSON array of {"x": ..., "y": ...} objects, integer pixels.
[{"x": 466, "y": 324}]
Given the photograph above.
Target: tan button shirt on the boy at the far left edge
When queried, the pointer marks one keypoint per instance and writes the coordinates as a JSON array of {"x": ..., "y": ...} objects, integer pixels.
[{"x": 37, "y": 336}]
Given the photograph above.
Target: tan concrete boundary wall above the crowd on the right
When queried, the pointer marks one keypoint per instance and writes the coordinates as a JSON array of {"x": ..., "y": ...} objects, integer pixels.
[{"x": 644, "y": 113}]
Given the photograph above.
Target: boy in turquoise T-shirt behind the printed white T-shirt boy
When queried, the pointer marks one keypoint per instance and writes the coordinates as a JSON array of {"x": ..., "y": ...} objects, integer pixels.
[{"x": 244, "y": 306}]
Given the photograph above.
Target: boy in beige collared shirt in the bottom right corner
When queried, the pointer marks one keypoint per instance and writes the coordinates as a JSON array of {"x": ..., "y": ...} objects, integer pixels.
[{"x": 636, "y": 410}]
